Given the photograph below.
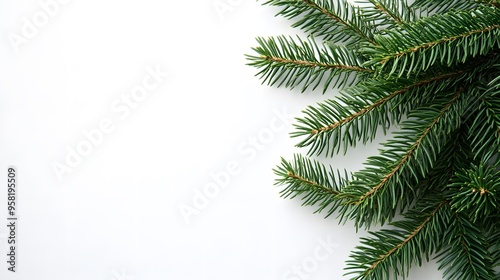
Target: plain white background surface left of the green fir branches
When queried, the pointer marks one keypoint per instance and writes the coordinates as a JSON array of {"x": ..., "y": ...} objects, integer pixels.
[{"x": 117, "y": 215}]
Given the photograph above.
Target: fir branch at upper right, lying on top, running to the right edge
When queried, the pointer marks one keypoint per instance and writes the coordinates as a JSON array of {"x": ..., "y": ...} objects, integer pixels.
[{"x": 425, "y": 42}]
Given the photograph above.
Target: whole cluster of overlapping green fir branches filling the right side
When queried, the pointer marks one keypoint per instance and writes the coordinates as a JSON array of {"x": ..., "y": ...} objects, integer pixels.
[{"x": 431, "y": 69}]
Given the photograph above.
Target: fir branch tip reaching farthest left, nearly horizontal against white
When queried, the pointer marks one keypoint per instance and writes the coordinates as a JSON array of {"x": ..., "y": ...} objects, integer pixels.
[{"x": 292, "y": 63}]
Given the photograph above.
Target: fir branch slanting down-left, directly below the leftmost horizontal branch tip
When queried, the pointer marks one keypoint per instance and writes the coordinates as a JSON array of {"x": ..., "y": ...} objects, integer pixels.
[{"x": 361, "y": 110}]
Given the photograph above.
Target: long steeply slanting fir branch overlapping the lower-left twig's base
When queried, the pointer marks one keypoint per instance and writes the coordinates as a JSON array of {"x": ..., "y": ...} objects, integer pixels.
[{"x": 376, "y": 190}]
